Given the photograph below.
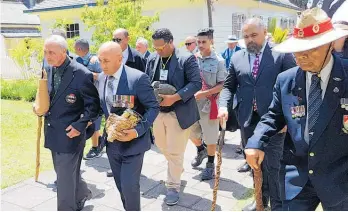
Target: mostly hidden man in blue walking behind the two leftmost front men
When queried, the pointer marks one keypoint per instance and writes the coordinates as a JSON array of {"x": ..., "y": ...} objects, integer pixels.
[{"x": 91, "y": 62}]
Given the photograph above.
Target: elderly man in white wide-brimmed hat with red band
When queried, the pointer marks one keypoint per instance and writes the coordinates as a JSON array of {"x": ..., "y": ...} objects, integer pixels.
[{"x": 312, "y": 100}]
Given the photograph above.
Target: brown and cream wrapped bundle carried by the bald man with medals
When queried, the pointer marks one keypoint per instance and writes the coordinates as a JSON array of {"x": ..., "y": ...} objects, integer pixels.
[{"x": 116, "y": 124}]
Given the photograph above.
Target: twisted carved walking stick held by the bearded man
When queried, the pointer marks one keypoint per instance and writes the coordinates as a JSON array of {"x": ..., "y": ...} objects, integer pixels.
[{"x": 219, "y": 162}]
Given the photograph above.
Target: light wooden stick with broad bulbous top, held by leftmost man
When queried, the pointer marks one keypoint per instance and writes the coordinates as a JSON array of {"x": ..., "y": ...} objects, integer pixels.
[{"x": 40, "y": 107}]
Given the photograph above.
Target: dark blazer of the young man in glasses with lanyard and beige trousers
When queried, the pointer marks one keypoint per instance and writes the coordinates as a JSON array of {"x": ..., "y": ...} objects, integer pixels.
[{"x": 184, "y": 75}]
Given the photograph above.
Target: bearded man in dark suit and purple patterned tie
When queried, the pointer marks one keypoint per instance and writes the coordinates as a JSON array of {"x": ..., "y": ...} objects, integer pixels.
[{"x": 254, "y": 71}]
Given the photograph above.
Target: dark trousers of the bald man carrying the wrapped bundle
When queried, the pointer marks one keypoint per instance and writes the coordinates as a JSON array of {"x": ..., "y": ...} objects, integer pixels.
[{"x": 126, "y": 171}]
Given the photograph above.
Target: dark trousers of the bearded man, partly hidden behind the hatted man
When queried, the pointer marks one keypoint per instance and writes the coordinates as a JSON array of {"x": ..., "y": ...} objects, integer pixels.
[{"x": 270, "y": 166}]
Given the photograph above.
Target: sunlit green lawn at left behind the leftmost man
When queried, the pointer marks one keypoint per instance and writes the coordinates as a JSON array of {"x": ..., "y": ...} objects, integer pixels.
[{"x": 18, "y": 146}]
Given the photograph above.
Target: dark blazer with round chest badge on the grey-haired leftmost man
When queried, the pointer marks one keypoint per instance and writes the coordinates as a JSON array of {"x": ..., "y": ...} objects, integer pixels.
[{"x": 82, "y": 107}]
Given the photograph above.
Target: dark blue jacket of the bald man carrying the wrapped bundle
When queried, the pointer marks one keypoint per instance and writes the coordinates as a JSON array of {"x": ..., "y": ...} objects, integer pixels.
[{"x": 134, "y": 83}]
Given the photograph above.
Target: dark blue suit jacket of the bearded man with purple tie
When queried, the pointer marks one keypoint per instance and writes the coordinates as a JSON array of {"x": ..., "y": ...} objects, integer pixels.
[{"x": 241, "y": 82}]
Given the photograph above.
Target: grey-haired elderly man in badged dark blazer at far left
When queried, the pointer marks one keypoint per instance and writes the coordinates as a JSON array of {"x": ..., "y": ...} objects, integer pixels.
[{"x": 74, "y": 103}]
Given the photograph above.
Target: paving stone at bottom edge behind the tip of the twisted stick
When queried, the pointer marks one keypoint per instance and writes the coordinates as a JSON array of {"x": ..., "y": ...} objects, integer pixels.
[{"x": 222, "y": 203}]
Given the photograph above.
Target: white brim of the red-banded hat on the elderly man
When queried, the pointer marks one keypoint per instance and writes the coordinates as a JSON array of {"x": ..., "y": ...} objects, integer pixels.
[{"x": 293, "y": 45}]
